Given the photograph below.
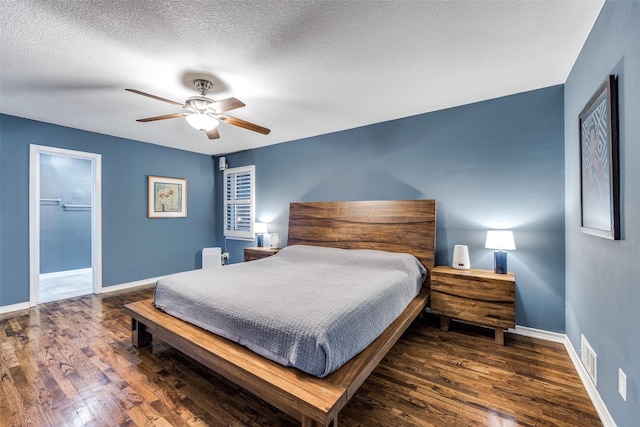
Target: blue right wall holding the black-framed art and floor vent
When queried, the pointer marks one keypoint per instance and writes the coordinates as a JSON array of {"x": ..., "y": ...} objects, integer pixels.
[{"x": 603, "y": 291}]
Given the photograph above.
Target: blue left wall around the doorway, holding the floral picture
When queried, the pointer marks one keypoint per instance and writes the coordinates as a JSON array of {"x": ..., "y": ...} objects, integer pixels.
[{"x": 134, "y": 246}]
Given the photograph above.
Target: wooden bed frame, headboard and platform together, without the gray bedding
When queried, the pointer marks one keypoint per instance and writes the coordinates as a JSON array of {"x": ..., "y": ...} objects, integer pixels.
[{"x": 406, "y": 226}]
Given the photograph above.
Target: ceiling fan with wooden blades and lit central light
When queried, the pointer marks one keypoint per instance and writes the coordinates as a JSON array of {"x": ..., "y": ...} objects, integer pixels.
[{"x": 205, "y": 114}]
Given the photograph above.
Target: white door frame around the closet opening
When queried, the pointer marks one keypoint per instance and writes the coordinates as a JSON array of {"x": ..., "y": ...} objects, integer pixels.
[{"x": 34, "y": 215}]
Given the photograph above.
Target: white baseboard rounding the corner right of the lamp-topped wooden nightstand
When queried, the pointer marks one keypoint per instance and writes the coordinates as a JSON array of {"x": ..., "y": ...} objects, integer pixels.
[{"x": 591, "y": 389}]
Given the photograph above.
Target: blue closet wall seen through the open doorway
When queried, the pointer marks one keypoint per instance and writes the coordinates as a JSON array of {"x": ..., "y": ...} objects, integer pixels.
[{"x": 65, "y": 234}]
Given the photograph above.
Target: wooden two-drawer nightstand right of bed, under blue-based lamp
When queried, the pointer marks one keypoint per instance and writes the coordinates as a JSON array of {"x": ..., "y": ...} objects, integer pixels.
[{"x": 476, "y": 296}]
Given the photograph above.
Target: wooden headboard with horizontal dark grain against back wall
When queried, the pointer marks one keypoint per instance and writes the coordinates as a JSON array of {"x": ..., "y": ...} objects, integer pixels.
[{"x": 407, "y": 226}]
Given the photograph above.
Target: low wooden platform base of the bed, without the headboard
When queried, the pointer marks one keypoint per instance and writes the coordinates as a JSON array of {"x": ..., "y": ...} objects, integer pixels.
[{"x": 314, "y": 401}]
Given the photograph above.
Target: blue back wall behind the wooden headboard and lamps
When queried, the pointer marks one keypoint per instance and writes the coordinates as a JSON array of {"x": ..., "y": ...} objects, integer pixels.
[{"x": 493, "y": 164}]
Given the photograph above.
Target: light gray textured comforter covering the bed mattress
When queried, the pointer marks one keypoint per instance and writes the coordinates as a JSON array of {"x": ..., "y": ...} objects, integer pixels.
[{"x": 309, "y": 307}]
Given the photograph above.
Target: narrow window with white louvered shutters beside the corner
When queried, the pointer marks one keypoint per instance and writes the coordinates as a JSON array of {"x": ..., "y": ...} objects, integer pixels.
[{"x": 239, "y": 202}]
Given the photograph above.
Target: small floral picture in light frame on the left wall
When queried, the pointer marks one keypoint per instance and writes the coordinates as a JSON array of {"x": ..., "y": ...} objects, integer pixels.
[{"x": 167, "y": 197}]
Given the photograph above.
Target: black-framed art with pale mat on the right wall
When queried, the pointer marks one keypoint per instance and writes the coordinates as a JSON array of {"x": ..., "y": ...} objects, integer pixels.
[{"x": 599, "y": 163}]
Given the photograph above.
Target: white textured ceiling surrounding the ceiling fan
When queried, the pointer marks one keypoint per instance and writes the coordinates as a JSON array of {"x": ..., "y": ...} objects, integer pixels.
[{"x": 302, "y": 68}]
